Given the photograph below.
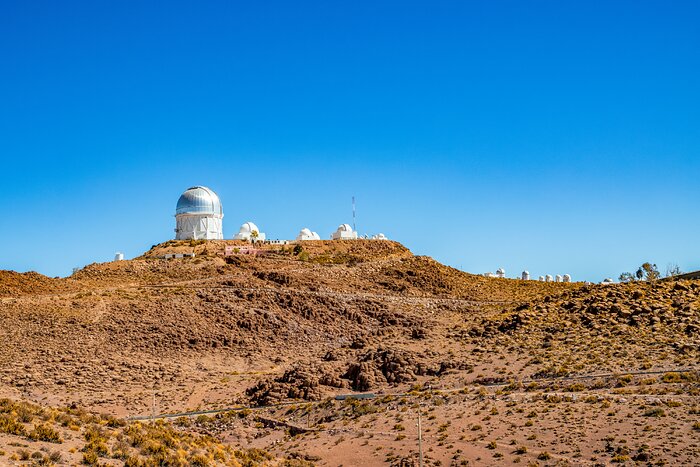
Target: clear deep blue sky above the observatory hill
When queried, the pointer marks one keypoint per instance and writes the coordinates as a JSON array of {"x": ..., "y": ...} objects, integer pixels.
[{"x": 561, "y": 137}]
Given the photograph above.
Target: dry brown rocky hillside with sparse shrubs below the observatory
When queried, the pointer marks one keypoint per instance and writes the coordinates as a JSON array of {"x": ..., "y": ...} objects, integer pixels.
[{"x": 502, "y": 371}]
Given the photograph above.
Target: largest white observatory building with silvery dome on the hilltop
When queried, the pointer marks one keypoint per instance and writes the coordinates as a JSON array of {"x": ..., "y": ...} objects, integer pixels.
[{"x": 198, "y": 215}]
